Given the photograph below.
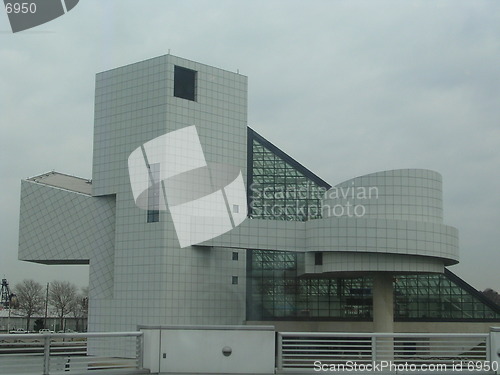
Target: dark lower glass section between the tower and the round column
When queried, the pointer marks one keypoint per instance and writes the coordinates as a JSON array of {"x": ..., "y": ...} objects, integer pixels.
[{"x": 276, "y": 292}]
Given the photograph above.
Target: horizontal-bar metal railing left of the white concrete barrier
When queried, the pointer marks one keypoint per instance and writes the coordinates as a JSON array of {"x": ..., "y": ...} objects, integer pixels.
[{"x": 72, "y": 353}]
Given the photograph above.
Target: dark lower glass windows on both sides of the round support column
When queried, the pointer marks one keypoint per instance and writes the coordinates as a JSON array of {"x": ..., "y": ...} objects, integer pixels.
[{"x": 275, "y": 291}]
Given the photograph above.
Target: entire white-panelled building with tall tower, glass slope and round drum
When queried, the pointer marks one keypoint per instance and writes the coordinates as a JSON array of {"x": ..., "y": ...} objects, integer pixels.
[{"x": 169, "y": 241}]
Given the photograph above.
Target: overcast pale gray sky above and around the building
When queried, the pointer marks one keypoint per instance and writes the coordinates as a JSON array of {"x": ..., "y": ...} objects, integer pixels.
[{"x": 345, "y": 87}]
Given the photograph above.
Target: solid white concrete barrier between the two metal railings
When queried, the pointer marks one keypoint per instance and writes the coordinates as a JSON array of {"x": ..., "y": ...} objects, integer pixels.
[{"x": 209, "y": 349}]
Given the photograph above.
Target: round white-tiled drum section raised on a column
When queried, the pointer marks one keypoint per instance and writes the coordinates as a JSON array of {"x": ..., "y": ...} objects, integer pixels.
[{"x": 389, "y": 221}]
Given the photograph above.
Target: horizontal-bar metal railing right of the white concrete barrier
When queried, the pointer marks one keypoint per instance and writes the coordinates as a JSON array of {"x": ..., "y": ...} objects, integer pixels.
[{"x": 383, "y": 352}]
